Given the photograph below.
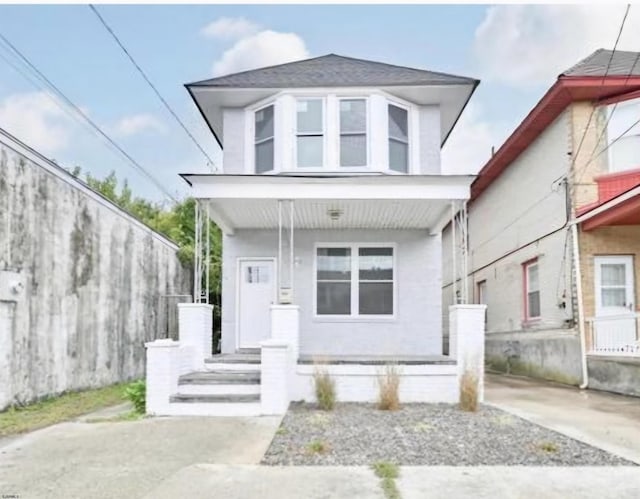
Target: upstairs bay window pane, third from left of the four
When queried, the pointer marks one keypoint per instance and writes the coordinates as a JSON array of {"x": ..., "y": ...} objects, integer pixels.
[{"x": 353, "y": 132}]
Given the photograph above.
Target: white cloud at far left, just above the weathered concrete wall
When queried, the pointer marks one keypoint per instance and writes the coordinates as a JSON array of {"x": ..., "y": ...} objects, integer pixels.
[{"x": 37, "y": 120}]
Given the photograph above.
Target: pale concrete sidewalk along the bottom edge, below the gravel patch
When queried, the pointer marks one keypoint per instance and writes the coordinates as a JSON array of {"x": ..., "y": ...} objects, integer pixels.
[{"x": 415, "y": 482}]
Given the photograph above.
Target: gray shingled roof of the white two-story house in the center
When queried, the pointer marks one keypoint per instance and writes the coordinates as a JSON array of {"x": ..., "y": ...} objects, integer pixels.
[{"x": 333, "y": 71}]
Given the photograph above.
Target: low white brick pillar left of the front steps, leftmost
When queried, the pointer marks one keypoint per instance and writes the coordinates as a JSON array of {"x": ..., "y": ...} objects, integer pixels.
[{"x": 163, "y": 366}]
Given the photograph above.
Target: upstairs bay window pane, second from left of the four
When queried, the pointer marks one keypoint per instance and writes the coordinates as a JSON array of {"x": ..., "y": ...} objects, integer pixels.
[{"x": 309, "y": 132}]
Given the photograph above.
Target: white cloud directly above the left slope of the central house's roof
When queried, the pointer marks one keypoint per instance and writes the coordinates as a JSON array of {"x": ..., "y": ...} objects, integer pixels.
[{"x": 265, "y": 48}]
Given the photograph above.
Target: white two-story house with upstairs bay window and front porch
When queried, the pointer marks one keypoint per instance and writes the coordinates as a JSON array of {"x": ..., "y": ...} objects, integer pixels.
[{"x": 331, "y": 203}]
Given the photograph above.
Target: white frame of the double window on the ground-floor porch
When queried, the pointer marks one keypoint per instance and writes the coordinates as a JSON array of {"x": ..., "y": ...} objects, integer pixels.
[{"x": 355, "y": 316}]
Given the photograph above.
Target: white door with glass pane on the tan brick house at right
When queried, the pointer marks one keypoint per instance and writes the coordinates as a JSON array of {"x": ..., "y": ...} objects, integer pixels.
[{"x": 615, "y": 323}]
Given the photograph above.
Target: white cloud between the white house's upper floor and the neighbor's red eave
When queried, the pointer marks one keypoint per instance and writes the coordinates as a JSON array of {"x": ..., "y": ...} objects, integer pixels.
[{"x": 469, "y": 145}]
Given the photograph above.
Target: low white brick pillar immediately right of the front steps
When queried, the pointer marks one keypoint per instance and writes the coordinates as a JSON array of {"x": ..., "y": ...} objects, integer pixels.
[{"x": 275, "y": 373}]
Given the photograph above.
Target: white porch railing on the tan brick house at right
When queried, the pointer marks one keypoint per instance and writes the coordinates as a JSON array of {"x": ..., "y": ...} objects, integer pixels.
[{"x": 614, "y": 335}]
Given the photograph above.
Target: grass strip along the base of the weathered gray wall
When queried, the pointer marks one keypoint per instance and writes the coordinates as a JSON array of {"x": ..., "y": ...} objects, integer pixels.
[{"x": 58, "y": 409}]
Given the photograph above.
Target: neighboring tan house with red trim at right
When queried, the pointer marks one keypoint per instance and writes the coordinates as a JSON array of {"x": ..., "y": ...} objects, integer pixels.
[{"x": 573, "y": 161}]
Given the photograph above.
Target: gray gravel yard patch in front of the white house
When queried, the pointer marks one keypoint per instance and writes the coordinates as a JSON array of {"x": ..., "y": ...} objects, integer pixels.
[{"x": 423, "y": 434}]
